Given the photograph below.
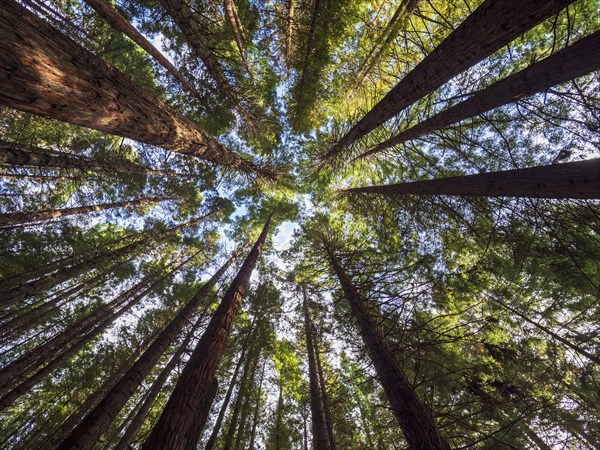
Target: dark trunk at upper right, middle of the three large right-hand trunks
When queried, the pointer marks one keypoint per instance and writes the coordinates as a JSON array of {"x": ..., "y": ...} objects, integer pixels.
[{"x": 574, "y": 61}]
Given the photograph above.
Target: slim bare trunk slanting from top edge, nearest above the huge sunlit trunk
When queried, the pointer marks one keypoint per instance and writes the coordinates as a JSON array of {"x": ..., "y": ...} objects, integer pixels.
[{"x": 119, "y": 23}]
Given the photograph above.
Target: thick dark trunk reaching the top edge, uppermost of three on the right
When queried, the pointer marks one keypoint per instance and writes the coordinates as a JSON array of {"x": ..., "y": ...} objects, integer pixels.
[{"x": 492, "y": 25}]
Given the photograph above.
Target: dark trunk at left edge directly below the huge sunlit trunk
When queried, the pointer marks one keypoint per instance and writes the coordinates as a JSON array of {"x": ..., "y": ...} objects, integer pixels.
[{"x": 15, "y": 154}]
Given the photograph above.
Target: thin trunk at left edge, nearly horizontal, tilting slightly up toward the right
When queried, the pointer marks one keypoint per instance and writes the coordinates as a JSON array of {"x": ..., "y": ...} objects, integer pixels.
[{"x": 16, "y": 218}]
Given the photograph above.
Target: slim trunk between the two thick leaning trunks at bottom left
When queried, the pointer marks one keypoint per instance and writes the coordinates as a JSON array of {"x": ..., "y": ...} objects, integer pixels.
[{"x": 157, "y": 386}]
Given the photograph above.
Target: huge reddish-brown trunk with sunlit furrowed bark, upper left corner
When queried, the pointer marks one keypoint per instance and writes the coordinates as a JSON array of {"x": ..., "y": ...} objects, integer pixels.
[{"x": 46, "y": 73}]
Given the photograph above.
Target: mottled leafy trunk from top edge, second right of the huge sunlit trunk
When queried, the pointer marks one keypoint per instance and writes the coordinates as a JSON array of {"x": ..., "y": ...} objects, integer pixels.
[{"x": 188, "y": 22}]
